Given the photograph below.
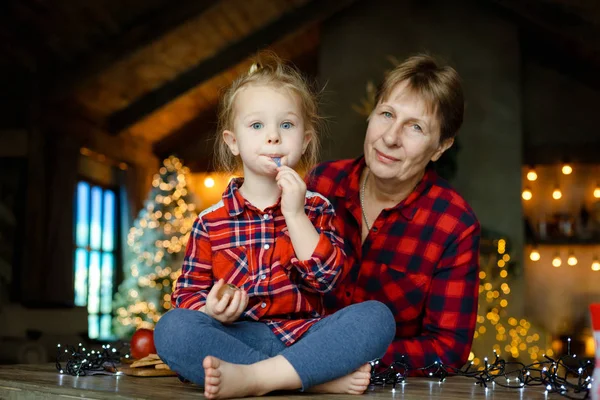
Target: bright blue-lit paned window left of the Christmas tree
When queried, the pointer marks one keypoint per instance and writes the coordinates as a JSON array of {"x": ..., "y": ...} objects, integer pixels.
[{"x": 96, "y": 256}]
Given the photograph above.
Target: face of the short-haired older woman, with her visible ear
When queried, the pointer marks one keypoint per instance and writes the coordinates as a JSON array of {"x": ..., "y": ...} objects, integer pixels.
[{"x": 402, "y": 137}]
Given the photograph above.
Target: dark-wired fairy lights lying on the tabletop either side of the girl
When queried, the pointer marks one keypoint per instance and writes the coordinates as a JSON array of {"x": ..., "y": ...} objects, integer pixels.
[{"x": 567, "y": 376}]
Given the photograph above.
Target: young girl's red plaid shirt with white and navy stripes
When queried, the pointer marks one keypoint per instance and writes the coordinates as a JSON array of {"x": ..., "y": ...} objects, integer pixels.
[{"x": 252, "y": 249}]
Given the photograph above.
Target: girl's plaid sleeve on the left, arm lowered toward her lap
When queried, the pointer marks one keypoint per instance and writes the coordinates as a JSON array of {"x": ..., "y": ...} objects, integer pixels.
[{"x": 196, "y": 277}]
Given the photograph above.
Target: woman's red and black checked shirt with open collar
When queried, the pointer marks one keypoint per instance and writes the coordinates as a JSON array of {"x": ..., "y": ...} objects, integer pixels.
[{"x": 421, "y": 258}]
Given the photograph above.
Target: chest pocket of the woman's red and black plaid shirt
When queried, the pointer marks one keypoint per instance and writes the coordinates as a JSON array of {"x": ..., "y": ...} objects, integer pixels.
[{"x": 406, "y": 290}]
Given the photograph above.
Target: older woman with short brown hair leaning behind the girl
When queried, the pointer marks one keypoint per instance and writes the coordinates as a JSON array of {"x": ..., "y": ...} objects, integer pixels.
[{"x": 411, "y": 239}]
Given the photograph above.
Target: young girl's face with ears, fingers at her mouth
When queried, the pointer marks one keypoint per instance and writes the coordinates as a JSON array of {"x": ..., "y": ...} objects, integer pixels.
[{"x": 267, "y": 124}]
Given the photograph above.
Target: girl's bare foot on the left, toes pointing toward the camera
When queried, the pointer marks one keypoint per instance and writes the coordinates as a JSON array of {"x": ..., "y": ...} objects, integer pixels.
[{"x": 224, "y": 380}]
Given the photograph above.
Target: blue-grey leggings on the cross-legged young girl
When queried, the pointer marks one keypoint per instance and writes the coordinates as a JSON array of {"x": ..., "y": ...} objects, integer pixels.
[{"x": 333, "y": 347}]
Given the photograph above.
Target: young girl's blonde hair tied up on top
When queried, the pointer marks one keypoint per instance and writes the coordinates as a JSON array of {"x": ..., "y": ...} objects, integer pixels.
[{"x": 269, "y": 70}]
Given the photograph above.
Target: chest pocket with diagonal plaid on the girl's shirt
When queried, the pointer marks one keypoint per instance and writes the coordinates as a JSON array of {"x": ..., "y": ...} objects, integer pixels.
[{"x": 232, "y": 264}]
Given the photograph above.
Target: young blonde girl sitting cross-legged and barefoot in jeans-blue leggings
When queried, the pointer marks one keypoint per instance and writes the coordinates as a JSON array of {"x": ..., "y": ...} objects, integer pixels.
[{"x": 277, "y": 243}]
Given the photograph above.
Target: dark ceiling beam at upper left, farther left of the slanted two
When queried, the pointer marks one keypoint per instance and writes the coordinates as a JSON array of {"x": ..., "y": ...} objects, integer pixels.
[{"x": 146, "y": 30}]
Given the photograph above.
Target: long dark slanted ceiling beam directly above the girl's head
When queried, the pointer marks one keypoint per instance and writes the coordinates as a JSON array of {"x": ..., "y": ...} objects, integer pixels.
[{"x": 312, "y": 12}]
